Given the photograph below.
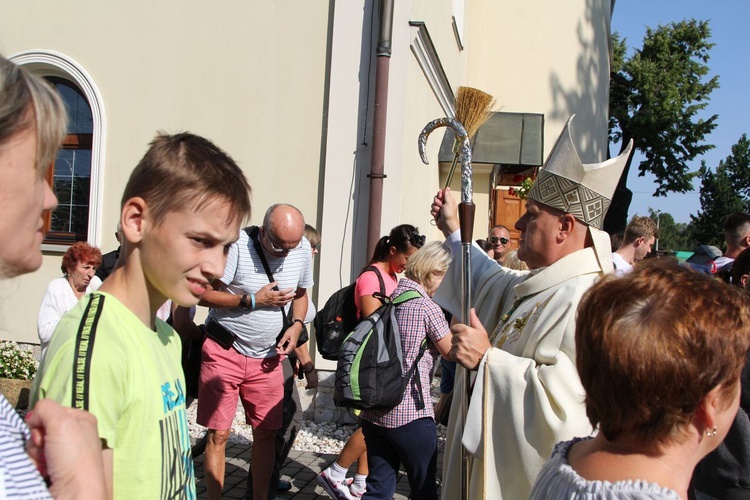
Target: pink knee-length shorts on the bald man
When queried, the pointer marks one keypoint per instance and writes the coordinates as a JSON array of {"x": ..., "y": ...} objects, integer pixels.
[{"x": 227, "y": 374}]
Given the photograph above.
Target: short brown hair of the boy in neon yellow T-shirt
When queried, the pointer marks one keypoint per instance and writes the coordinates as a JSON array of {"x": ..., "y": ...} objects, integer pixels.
[{"x": 184, "y": 169}]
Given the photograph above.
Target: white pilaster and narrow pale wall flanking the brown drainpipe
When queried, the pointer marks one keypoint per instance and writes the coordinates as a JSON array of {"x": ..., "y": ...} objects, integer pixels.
[{"x": 409, "y": 186}]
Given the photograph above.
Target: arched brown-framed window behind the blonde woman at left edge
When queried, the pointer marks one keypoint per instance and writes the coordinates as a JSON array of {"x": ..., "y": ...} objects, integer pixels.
[{"x": 71, "y": 175}]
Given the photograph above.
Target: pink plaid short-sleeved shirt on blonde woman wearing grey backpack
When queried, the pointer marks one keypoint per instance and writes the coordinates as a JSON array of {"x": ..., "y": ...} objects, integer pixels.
[{"x": 417, "y": 319}]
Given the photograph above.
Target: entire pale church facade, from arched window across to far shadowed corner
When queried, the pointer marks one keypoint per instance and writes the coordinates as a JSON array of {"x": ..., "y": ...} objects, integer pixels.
[{"x": 282, "y": 86}]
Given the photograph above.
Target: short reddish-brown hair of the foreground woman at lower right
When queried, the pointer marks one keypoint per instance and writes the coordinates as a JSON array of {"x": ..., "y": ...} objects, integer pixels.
[{"x": 651, "y": 344}]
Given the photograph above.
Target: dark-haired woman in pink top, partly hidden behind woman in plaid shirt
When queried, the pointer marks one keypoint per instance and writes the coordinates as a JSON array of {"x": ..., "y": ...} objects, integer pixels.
[{"x": 389, "y": 259}]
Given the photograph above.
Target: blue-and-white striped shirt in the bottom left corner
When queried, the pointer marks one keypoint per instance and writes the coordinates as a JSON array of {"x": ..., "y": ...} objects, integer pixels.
[{"x": 18, "y": 475}]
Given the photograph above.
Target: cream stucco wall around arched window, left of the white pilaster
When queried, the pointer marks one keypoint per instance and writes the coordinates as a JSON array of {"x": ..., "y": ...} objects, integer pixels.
[{"x": 248, "y": 75}]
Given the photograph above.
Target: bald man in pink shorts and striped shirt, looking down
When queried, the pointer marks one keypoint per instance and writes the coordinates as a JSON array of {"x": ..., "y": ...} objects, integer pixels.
[{"x": 266, "y": 278}]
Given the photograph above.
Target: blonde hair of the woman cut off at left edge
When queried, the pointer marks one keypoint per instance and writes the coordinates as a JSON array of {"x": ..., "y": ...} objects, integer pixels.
[{"x": 26, "y": 101}]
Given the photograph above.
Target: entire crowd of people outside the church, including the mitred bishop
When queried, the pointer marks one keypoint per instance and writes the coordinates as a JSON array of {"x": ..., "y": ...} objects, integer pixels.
[{"x": 594, "y": 372}]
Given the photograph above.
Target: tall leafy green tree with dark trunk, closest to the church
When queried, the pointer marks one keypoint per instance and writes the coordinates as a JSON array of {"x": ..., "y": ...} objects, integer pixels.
[{"x": 655, "y": 98}]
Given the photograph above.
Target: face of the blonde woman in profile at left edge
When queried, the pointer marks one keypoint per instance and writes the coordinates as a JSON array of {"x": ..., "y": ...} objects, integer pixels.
[{"x": 24, "y": 196}]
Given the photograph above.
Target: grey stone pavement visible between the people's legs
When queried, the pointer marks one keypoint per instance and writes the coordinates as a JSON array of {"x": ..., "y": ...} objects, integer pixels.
[{"x": 301, "y": 469}]
